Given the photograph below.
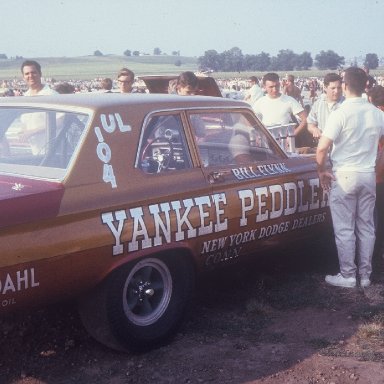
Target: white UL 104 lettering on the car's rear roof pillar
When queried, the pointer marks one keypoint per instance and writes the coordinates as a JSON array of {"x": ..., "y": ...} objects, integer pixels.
[{"x": 109, "y": 125}]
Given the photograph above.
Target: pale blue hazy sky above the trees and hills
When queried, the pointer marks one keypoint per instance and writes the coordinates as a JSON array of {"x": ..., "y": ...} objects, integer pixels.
[{"x": 68, "y": 28}]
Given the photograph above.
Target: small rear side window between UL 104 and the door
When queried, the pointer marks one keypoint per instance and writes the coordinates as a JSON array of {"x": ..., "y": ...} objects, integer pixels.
[{"x": 163, "y": 146}]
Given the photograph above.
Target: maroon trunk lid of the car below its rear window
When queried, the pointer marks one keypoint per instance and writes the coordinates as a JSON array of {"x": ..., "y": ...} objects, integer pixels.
[{"x": 23, "y": 199}]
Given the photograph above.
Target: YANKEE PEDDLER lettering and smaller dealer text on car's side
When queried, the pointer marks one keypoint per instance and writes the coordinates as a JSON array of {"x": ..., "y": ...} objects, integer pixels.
[{"x": 157, "y": 224}]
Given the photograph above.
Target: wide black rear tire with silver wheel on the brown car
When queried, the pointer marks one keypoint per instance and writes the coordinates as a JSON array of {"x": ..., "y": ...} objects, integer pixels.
[{"x": 143, "y": 302}]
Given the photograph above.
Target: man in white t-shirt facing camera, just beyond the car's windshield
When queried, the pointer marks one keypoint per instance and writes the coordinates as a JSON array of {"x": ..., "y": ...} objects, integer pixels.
[{"x": 277, "y": 109}]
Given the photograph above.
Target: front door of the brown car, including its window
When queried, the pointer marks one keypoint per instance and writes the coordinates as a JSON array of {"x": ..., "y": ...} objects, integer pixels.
[{"x": 264, "y": 192}]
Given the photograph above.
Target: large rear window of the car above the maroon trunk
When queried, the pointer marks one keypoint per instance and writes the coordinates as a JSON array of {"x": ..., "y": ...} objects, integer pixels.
[{"x": 39, "y": 142}]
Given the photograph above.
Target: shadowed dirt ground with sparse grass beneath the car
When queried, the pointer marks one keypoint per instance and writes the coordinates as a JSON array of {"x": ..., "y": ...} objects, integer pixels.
[{"x": 273, "y": 322}]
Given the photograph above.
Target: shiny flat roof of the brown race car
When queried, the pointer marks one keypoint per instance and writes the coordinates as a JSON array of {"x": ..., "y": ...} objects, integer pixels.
[{"x": 104, "y": 100}]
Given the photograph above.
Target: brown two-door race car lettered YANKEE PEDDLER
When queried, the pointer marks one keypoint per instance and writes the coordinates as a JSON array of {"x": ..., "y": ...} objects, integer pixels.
[{"x": 120, "y": 200}]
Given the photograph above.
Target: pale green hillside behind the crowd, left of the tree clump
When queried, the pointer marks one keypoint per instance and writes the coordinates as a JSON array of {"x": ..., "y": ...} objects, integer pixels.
[{"x": 91, "y": 67}]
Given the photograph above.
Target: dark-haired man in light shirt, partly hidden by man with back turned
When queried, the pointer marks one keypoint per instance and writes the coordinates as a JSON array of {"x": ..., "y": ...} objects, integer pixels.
[{"x": 328, "y": 102}]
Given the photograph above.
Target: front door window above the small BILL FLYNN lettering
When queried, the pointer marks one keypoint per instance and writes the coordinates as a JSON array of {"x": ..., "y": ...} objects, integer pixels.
[{"x": 231, "y": 138}]
